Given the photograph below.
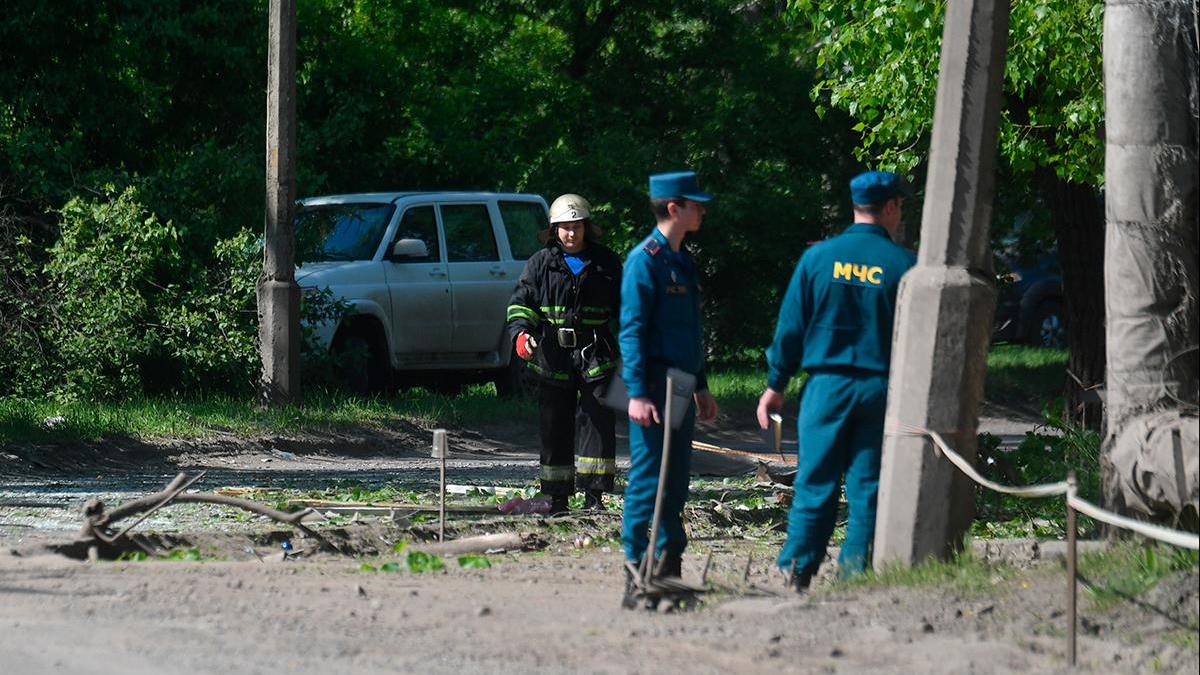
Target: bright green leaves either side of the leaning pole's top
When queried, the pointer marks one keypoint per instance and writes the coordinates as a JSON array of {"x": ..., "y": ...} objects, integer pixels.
[{"x": 879, "y": 62}]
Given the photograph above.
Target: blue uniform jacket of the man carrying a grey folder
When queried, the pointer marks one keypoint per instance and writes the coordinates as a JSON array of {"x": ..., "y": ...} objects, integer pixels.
[{"x": 659, "y": 318}]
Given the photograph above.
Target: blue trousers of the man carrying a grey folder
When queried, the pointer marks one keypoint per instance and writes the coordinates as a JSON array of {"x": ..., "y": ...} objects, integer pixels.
[{"x": 645, "y": 459}]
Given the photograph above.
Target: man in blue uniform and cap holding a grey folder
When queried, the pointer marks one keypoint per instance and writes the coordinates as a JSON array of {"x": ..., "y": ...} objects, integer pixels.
[{"x": 661, "y": 330}]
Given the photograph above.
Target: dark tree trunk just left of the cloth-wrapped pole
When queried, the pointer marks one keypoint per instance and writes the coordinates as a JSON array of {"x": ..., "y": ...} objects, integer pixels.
[{"x": 1078, "y": 219}]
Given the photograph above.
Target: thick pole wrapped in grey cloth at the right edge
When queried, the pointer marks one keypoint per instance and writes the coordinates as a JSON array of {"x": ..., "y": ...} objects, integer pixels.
[{"x": 1151, "y": 258}]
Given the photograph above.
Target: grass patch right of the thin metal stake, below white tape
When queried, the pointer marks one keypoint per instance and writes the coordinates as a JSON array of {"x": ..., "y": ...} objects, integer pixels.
[{"x": 1131, "y": 570}]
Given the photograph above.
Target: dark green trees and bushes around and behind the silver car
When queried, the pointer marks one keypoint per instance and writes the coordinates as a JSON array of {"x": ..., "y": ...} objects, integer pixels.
[{"x": 133, "y": 153}]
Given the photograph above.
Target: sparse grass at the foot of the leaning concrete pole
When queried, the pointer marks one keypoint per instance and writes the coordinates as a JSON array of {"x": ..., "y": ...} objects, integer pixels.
[{"x": 963, "y": 575}]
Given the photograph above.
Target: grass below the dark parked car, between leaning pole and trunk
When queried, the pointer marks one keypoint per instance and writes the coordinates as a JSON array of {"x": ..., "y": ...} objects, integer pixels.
[{"x": 1023, "y": 375}]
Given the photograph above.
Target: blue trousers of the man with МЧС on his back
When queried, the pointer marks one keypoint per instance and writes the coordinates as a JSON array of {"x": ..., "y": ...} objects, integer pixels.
[{"x": 841, "y": 434}]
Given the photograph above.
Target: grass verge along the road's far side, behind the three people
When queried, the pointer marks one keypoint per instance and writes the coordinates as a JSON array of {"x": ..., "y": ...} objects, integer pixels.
[{"x": 1016, "y": 373}]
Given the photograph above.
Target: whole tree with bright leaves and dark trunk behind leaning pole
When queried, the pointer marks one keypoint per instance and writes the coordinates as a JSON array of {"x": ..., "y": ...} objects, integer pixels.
[{"x": 878, "y": 62}]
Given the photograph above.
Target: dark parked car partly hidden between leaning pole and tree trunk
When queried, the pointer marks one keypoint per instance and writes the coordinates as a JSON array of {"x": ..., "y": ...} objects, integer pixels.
[{"x": 1029, "y": 304}]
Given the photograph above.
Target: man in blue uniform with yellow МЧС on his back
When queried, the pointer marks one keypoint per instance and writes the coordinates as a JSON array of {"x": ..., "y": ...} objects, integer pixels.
[{"x": 836, "y": 324}]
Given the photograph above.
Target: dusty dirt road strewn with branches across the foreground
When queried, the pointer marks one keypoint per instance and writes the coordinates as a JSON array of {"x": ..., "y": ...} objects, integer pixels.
[{"x": 553, "y": 611}]
